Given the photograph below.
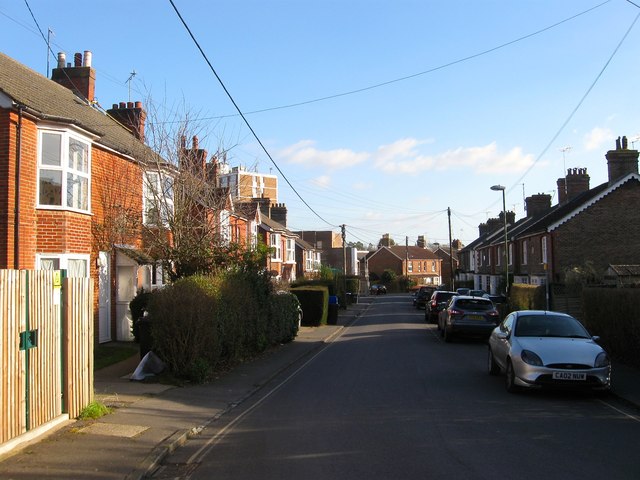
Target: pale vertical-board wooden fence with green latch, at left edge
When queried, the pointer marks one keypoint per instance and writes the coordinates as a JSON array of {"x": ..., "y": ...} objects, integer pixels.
[{"x": 46, "y": 349}]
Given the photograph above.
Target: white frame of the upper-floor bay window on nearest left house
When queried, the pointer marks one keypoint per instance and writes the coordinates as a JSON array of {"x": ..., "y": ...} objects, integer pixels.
[{"x": 73, "y": 180}]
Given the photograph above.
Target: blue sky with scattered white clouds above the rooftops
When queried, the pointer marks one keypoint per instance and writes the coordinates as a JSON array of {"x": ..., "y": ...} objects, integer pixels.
[{"x": 377, "y": 115}]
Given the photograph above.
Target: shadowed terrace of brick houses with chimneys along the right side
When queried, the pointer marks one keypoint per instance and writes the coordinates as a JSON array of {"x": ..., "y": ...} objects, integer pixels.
[{"x": 599, "y": 226}]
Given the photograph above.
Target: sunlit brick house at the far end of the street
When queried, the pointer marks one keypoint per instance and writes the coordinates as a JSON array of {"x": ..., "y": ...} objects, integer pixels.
[{"x": 419, "y": 264}]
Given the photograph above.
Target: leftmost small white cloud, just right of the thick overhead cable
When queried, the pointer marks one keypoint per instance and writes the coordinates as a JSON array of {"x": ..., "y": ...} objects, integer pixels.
[{"x": 305, "y": 153}]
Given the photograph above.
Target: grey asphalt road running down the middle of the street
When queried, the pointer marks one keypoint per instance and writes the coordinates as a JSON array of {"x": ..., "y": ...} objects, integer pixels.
[{"x": 388, "y": 399}]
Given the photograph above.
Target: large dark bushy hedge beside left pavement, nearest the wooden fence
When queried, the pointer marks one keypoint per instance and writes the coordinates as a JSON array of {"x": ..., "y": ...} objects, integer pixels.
[{"x": 202, "y": 324}]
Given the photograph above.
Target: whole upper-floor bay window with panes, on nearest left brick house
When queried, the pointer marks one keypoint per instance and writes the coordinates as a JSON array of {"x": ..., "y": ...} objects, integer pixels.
[{"x": 63, "y": 183}]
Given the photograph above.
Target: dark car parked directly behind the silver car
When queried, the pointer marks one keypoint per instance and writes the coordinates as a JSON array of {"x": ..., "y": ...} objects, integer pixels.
[{"x": 468, "y": 316}]
